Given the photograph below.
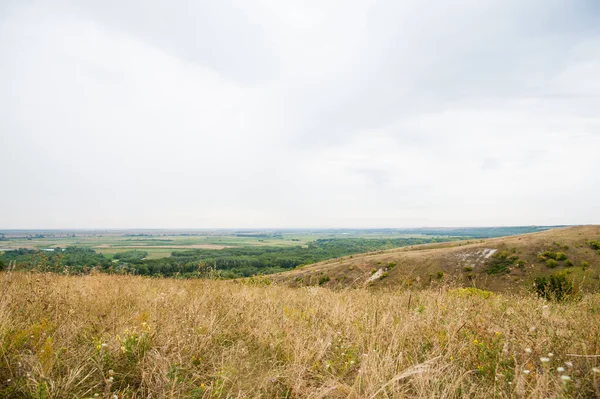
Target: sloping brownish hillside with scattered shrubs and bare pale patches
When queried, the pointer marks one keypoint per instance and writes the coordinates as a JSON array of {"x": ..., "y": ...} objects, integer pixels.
[{"x": 498, "y": 264}]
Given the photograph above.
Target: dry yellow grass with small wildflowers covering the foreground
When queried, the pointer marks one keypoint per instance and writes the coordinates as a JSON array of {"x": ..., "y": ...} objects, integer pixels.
[{"x": 77, "y": 337}]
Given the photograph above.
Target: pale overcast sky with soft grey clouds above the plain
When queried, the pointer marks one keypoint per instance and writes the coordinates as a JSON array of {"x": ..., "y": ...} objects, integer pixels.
[{"x": 316, "y": 113}]
